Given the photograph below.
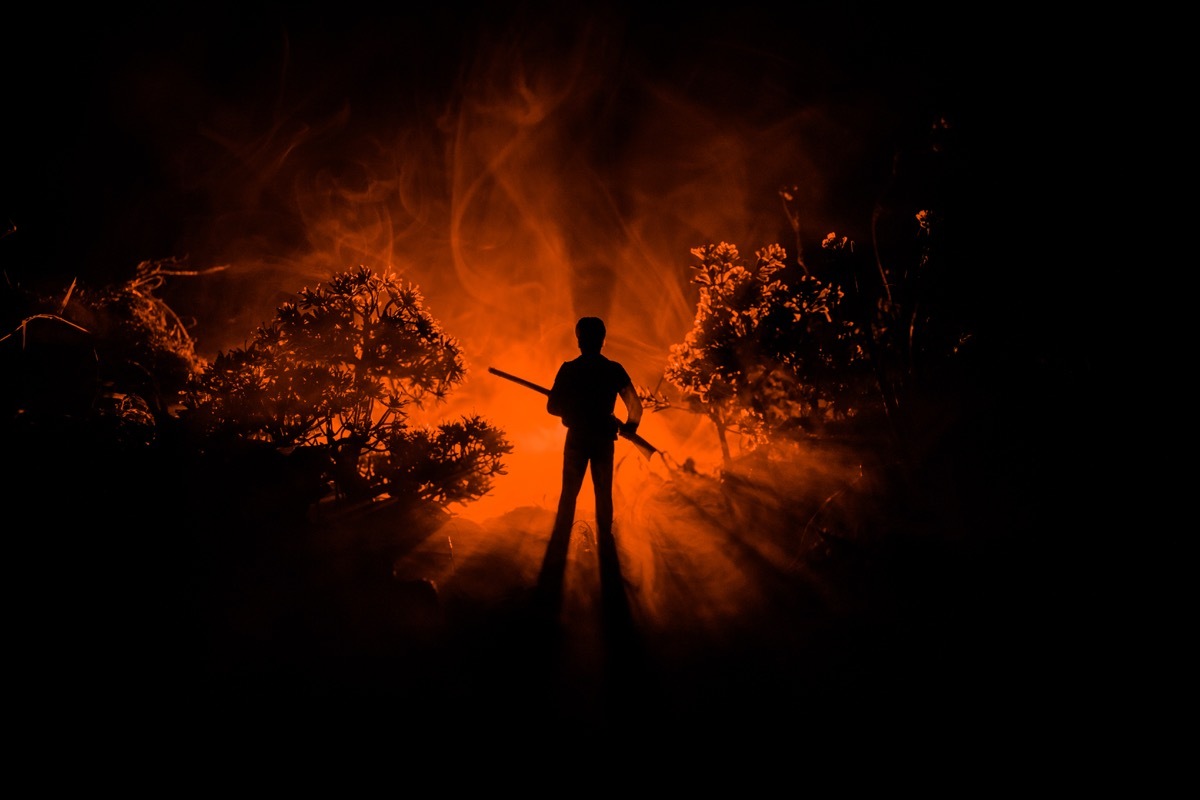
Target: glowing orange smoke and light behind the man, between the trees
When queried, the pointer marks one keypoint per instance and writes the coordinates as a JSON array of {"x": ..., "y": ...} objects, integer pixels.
[{"x": 517, "y": 210}]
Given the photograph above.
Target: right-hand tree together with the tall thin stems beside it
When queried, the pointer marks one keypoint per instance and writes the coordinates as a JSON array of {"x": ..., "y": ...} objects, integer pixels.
[{"x": 779, "y": 351}]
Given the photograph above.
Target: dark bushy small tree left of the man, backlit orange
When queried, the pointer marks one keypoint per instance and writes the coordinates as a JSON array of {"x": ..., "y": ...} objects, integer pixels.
[{"x": 339, "y": 369}]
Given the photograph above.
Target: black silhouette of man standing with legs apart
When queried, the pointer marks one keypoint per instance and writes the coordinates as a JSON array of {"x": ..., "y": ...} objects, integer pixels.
[{"x": 585, "y": 395}]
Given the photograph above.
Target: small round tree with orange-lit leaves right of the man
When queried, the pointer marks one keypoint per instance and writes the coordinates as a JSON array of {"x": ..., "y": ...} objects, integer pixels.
[{"x": 769, "y": 353}]
